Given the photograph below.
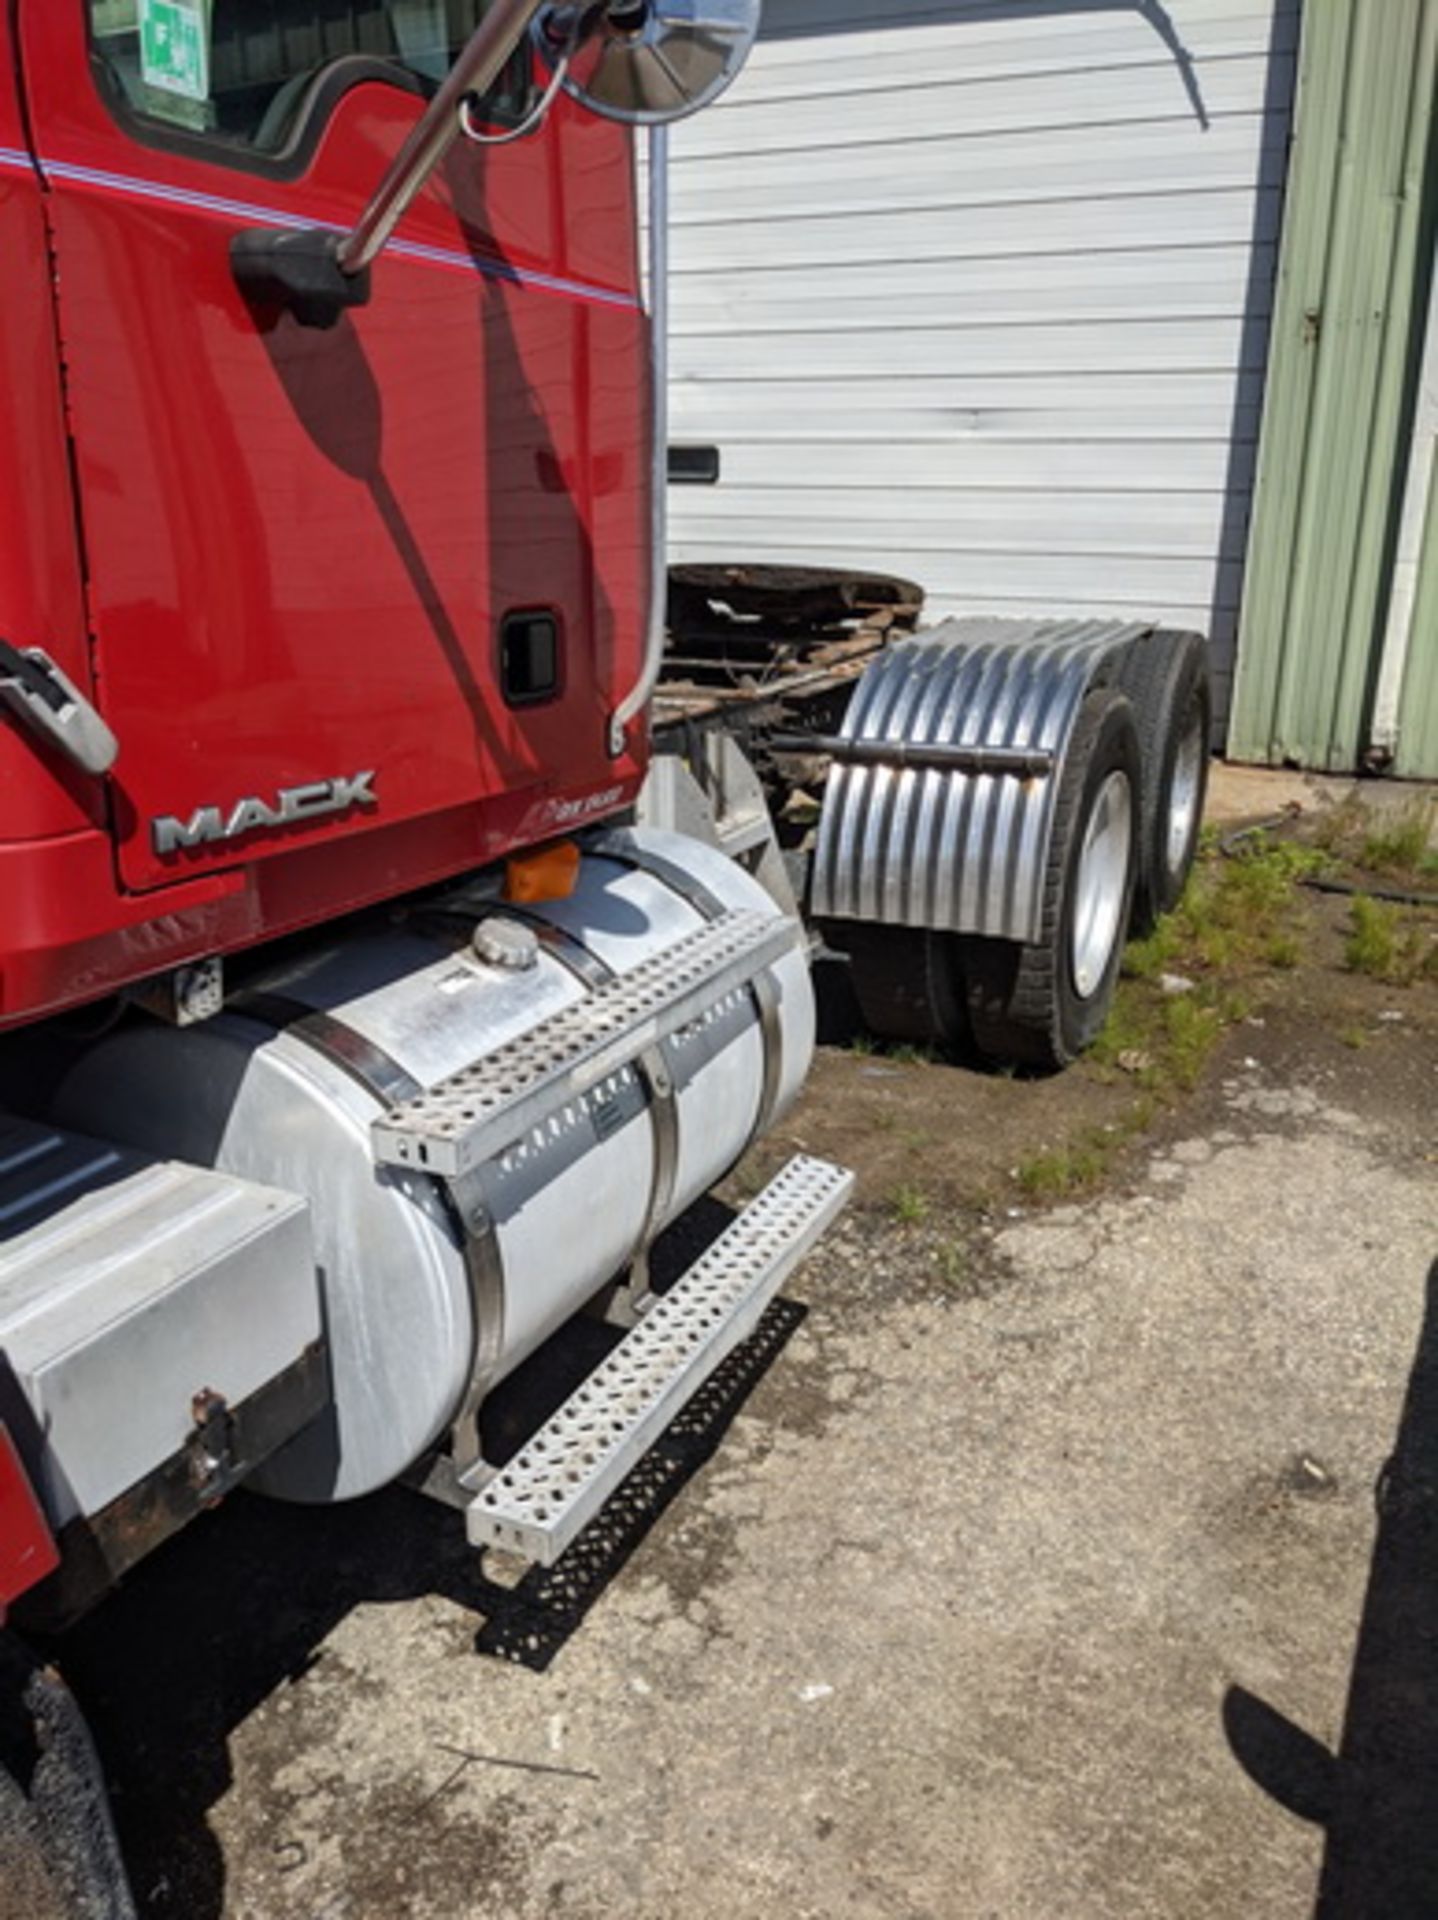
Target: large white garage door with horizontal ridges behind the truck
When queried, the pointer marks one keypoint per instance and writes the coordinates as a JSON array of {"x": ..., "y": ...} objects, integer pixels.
[{"x": 978, "y": 293}]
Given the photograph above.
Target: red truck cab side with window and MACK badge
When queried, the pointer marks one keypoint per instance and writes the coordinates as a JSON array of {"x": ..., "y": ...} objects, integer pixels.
[{"x": 356, "y": 602}]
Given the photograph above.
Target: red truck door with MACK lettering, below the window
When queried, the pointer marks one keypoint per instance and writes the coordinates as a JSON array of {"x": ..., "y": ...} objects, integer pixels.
[{"x": 302, "y": 542}]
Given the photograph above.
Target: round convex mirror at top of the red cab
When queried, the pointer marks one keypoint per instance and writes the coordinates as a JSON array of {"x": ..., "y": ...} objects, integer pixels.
[{"x": 654, "y": 60}]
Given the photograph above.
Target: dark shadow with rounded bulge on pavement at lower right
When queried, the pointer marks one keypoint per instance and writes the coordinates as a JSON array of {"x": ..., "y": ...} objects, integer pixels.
[{"x": 1379, "y": 1794}]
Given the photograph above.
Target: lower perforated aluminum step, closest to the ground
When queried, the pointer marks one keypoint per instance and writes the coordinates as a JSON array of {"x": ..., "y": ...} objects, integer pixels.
[{"x": 562, "y": 1479}]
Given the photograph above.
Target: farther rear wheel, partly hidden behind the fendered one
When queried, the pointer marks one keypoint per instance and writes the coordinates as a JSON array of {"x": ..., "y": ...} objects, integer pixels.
[{"x": 1166, "y": 679}]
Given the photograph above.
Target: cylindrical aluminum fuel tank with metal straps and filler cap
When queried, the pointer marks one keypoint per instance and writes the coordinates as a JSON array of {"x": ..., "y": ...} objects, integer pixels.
[{"x": 287, "y": 1088}]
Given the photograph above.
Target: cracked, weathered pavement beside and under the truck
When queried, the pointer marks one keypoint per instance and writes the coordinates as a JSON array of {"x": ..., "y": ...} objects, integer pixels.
[{"x": 1030, "y": 1572}]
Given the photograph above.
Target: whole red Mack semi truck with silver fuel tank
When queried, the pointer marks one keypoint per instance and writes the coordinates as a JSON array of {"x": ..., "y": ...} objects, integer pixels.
[{"x": 381, "y": 969}]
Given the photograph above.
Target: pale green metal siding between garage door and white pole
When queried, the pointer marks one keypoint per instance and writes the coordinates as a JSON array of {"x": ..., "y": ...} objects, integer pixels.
[{"x": 1331, "y": 454}]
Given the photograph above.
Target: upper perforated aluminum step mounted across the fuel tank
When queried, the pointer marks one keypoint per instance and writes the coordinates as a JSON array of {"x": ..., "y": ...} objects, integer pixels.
[{"x": 481, "y": 1111}]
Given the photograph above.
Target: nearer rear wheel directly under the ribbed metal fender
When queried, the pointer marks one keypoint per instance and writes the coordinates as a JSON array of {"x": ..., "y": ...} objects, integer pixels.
[{"x": 1042, "y": 1005}]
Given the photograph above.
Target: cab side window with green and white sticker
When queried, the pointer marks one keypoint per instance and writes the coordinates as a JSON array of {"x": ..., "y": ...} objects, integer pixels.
[{"x": 252, "y": 74}]
